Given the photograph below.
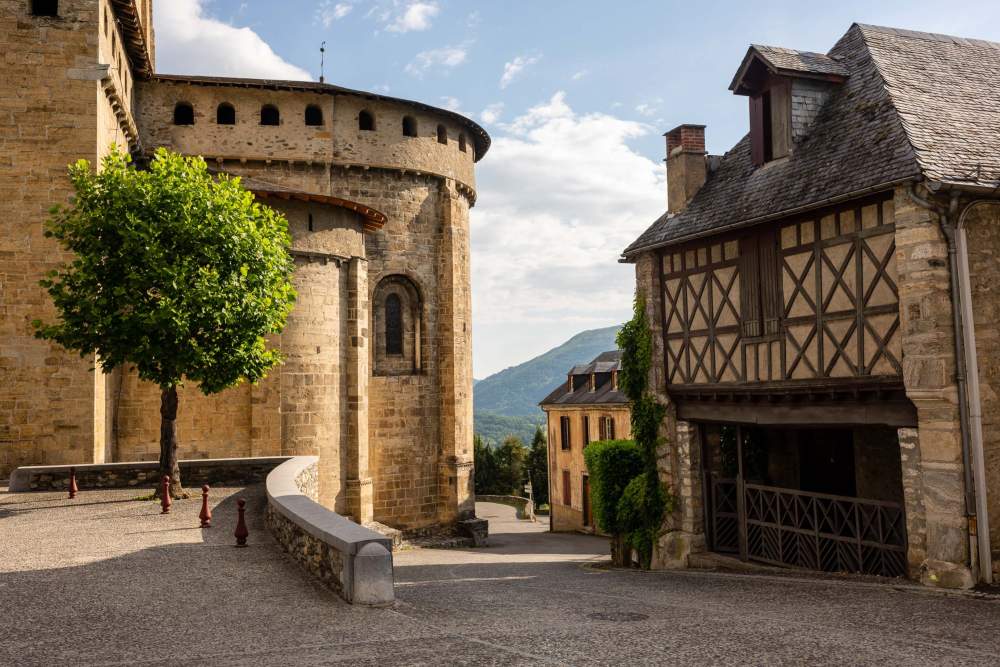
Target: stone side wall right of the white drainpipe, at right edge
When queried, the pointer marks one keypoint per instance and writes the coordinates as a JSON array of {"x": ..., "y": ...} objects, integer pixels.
[{"x": 983, "y": 243}]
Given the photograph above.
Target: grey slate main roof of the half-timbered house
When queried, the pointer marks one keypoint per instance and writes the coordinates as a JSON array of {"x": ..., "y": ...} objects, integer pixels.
[{"x": 914, "y": 104}]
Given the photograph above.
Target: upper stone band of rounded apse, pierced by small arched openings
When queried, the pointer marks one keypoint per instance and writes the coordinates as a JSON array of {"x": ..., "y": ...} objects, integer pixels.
[{"x": 338, "y": 141}]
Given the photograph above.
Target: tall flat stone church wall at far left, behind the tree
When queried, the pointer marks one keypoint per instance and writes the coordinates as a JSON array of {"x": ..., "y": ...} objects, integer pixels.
[{"x": 51, "y": 404}]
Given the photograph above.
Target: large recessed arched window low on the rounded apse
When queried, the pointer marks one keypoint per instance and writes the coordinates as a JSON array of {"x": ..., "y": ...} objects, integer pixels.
[{"x": 397, "y": 322}]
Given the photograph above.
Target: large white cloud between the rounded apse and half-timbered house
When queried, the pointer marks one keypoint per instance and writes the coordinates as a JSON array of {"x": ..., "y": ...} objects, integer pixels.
[{"x": 561, "y": 194}]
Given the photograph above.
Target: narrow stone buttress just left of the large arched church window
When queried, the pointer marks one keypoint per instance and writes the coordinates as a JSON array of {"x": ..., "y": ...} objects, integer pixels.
[{"x": 359, "y": 482}]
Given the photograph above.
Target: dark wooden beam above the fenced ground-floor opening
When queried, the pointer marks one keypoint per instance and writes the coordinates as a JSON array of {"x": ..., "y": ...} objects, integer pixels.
[{"x": 872, "y": 401}]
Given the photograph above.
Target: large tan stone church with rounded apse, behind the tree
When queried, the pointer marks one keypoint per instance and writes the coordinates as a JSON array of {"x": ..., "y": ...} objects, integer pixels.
[{"x": 377, "y": 377}]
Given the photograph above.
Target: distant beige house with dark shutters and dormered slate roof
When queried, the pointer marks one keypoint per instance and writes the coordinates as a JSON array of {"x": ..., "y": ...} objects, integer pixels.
[{"x": 588, "y": 407}]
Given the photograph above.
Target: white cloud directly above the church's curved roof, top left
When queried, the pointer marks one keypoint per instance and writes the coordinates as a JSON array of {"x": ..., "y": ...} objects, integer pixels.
[{"x": 189, "y": 42}]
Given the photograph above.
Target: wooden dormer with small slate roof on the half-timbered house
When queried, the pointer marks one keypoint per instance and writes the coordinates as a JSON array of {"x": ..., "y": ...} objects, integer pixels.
[{"x": 777, "y": 80}]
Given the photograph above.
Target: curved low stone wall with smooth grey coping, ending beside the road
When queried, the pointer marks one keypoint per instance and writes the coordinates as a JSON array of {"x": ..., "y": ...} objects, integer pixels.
[{"x": 354, "y": 561}]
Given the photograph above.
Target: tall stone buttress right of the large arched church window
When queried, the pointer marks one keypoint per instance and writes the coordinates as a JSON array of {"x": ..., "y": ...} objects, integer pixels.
[{"x": 455, "y": 478}]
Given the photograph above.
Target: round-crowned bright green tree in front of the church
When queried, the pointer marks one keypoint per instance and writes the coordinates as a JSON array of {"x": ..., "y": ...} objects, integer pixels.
[{"x": 176, "y": 273}]
